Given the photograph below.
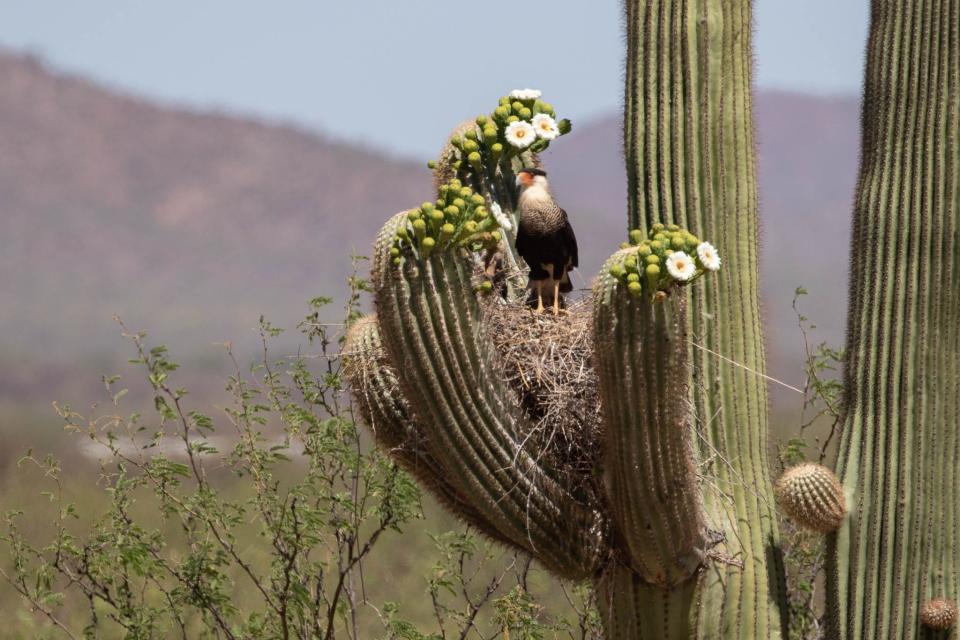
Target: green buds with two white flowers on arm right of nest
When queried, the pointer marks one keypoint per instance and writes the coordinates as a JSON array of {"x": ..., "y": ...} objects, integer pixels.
[{"x": 667, "y": 255}]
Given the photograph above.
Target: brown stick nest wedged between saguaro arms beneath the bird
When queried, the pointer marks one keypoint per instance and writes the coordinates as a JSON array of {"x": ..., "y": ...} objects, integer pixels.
[{"x": 548, "y": 361}]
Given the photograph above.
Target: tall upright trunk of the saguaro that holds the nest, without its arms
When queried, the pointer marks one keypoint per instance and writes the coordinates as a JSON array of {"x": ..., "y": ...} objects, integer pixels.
[{"x": 689, "y": 142}]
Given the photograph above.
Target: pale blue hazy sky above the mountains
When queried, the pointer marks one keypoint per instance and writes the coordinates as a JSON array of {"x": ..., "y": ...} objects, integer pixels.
[{"x": 396, "y": 74}]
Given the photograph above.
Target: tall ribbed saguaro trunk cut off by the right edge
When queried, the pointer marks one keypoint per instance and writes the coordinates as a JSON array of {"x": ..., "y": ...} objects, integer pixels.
[{"x": 901, "y": 436}]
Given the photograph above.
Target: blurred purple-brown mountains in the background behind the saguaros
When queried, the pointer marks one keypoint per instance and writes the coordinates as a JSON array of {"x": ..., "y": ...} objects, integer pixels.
[{"x": 193, "y": 224}]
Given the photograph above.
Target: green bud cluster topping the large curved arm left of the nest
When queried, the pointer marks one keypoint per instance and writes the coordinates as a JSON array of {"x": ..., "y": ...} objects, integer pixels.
[{"x": 460, "y": 217}]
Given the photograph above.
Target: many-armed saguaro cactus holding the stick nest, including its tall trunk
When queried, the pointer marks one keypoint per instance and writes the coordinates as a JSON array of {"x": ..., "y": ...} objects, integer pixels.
[{"x": 676, "y": 528}]
